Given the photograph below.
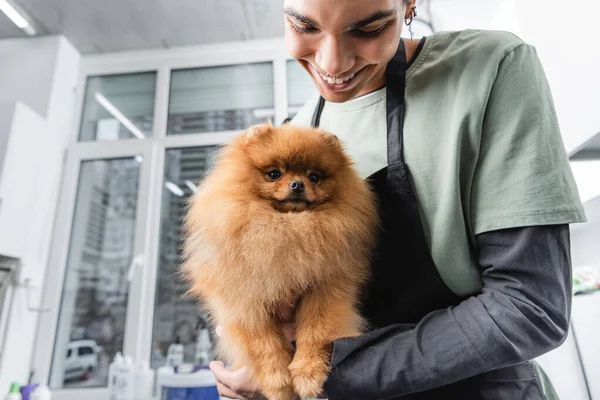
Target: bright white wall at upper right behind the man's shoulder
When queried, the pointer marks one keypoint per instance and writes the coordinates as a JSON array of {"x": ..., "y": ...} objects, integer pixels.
[{"x": 566, "y": 38}]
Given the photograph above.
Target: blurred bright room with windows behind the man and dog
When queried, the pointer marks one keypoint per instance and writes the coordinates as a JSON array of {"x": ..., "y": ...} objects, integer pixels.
[{"x": 110, "y": 113}]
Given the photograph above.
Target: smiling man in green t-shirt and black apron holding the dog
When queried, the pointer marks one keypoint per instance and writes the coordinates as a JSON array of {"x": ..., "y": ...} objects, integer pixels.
[{"x": 458, "y": 135}]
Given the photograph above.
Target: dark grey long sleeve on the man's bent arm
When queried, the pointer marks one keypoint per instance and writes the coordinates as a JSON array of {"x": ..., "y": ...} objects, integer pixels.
[{"x": 522, "y": 312}]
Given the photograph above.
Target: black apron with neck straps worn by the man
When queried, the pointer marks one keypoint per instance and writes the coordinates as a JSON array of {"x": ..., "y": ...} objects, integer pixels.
[{"x": 405, "y": 284}]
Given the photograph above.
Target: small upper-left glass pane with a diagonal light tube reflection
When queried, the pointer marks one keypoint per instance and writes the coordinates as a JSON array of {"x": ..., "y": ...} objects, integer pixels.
[{"x": 118, "y": 107}]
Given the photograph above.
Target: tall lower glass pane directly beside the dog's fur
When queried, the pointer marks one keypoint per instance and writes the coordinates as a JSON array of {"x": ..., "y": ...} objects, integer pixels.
[{"x": 176, "y": 316}]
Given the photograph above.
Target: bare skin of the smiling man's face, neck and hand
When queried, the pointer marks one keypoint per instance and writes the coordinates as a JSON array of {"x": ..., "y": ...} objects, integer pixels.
[{"x": 336, "y": 39}]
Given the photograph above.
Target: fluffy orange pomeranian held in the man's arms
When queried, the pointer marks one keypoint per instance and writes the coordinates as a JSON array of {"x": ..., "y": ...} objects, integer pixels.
[{"x": 282, "y": 219}]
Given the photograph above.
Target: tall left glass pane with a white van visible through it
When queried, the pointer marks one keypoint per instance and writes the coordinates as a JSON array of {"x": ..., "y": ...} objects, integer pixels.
[{"x": 91, "y": 323}]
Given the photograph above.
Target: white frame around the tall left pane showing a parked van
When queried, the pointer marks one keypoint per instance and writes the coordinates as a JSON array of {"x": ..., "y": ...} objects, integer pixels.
[{"x": 52, "y": 296}]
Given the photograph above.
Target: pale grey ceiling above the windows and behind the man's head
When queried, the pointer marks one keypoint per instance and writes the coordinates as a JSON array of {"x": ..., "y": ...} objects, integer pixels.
[{"x": 98, "y": 26}]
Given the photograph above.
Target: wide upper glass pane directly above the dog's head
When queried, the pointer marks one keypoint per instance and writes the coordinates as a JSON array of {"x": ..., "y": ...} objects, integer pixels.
[{"x": 220, "y": 98}]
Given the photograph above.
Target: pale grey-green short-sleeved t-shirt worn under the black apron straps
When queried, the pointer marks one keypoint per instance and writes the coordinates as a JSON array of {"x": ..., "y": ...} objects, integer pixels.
[{"x": 482, "y": 143}]
